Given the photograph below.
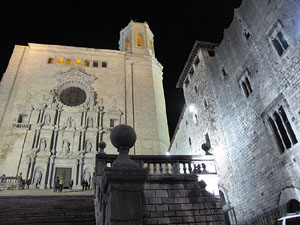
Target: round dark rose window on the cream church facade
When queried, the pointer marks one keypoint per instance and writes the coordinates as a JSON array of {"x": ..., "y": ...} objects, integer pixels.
[{"x": 73, "y": 96}]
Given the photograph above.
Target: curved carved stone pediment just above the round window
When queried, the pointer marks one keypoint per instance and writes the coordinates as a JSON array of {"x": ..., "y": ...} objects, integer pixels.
[{"x": 78, "y": 74}]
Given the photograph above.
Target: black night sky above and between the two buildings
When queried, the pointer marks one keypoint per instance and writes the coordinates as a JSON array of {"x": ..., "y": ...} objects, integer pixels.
[{"x": 176, "y": 25}]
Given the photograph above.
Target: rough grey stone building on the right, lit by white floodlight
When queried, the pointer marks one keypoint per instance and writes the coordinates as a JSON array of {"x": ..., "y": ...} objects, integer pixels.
[{"x": 243, "y": 106}]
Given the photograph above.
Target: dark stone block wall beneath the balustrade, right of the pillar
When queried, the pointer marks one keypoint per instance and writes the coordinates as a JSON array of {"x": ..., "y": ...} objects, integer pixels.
[{"x": 180, "y": 202}]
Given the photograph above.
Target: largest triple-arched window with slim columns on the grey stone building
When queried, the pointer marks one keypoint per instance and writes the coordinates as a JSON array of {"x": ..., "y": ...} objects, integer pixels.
[{"x": 282, "y": 129}]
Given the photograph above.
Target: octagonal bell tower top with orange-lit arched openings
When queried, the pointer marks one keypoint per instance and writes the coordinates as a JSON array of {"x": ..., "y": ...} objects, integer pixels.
[{"x": 137, "y": 38}]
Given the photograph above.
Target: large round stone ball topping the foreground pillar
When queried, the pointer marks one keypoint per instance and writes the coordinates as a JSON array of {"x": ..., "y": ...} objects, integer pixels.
[{"x": 123, "y": 136}]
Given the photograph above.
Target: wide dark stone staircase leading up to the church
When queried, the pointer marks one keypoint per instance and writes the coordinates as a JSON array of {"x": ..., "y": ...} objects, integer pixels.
[{"x": 64, "y": 209}]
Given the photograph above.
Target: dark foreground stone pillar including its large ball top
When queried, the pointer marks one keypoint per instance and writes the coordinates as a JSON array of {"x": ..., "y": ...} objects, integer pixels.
[{"x": 122, "y": 184}]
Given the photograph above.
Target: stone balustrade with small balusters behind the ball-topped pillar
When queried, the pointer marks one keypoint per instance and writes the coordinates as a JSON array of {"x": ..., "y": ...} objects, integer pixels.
[{"x": 164, "y": 165}]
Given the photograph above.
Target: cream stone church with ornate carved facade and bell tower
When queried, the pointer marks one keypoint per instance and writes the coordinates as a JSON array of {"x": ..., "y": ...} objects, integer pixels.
[{"x": 59, "y": 102}]
